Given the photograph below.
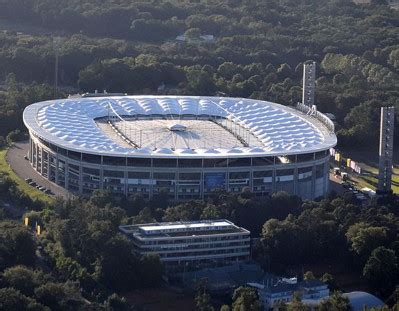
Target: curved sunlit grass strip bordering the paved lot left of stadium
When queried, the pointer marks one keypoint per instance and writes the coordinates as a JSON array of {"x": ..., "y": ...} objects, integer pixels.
[{"x": 22, "y": 185}]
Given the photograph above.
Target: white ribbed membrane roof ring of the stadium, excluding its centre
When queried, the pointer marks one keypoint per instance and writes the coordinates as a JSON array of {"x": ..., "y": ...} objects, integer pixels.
[{"x": 70, "y": 123}]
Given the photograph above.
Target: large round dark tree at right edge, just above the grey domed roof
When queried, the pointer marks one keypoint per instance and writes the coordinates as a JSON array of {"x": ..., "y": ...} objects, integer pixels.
[{"x": 381, "y": 270}]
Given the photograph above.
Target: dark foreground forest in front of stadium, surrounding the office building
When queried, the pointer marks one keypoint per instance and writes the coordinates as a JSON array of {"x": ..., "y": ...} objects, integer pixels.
[{"x": 81, "y": 261}]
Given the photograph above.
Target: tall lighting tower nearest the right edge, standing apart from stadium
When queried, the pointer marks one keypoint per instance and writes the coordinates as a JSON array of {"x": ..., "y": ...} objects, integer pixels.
[{"x": 386, "y": 150}]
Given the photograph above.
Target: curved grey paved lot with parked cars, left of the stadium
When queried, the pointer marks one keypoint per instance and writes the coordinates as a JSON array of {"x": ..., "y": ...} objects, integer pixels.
[{"x": 22, "y": 167}]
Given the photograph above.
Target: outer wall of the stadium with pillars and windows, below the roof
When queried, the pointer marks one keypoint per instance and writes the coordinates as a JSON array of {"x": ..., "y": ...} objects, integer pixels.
[{"x": 305, "y": 175}]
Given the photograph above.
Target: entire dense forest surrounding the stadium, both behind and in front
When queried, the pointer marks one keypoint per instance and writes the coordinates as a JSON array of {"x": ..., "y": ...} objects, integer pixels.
[{"x": 81, "y": 261}]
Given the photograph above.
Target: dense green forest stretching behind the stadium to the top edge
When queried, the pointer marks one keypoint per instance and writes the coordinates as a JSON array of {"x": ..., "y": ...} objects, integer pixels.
[{"x": 257, "y": 51}]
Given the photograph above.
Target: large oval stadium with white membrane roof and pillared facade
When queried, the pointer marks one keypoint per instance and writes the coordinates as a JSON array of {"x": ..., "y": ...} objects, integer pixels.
[{"x": 183, "y": 146}]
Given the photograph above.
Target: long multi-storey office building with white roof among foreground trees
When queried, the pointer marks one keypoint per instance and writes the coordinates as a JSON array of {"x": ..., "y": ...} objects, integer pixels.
[{"x": 188, "y": 245}]
